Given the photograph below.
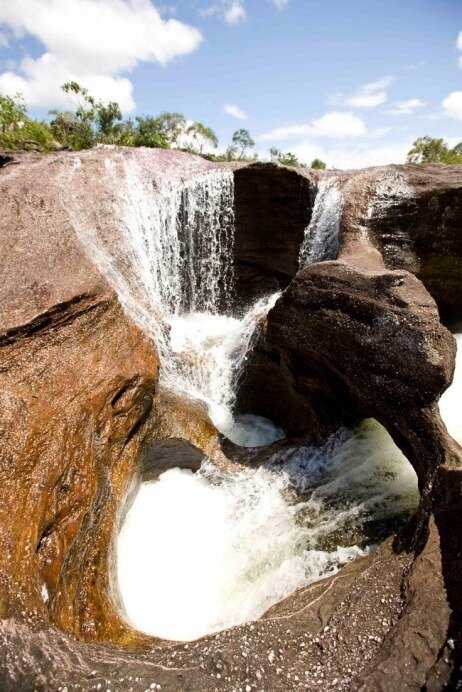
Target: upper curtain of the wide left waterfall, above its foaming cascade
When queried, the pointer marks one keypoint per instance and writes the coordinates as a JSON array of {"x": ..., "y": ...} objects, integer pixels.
[{"x": 171, "y": 251}]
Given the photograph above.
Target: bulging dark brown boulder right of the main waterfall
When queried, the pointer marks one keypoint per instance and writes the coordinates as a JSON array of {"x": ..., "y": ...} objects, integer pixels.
[{"x": 375, "y": 338}]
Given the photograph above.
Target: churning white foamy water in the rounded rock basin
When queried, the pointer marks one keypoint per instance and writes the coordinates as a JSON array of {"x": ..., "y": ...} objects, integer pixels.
[{"x": 200, "y": 552}]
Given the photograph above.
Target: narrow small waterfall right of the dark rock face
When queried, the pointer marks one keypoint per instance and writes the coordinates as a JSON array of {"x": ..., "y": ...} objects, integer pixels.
[{"x": 321, "y": 240}]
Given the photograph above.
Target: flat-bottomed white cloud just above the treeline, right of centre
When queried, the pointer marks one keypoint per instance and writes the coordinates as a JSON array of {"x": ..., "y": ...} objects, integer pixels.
[{"x": 333, "y": 125}]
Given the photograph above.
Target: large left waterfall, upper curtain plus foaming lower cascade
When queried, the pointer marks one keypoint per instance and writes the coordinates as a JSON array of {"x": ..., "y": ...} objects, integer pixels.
[{"x": 168, "y": 252}]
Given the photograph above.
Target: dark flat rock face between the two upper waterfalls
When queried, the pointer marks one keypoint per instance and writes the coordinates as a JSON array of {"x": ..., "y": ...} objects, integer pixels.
[{"x": 273, "y": 208}]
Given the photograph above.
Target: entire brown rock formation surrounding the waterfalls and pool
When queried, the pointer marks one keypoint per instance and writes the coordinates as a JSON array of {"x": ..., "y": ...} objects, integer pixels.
[{"x": 83, "y": 420}]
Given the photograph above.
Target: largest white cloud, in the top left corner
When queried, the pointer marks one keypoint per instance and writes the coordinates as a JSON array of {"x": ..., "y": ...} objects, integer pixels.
[{"x": 92, "y": 42}]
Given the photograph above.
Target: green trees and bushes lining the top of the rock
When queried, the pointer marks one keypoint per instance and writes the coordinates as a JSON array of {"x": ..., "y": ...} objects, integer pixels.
[{"x": 93, "y": 122}]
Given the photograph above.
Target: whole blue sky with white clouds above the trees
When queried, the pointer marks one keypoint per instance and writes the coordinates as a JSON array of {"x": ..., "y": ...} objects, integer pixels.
[{"x": 352, "y": 81}]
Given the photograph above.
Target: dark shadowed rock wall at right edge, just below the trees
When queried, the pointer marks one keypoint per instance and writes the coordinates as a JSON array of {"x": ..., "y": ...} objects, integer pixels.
[{"x": 422, "y": 232}]
